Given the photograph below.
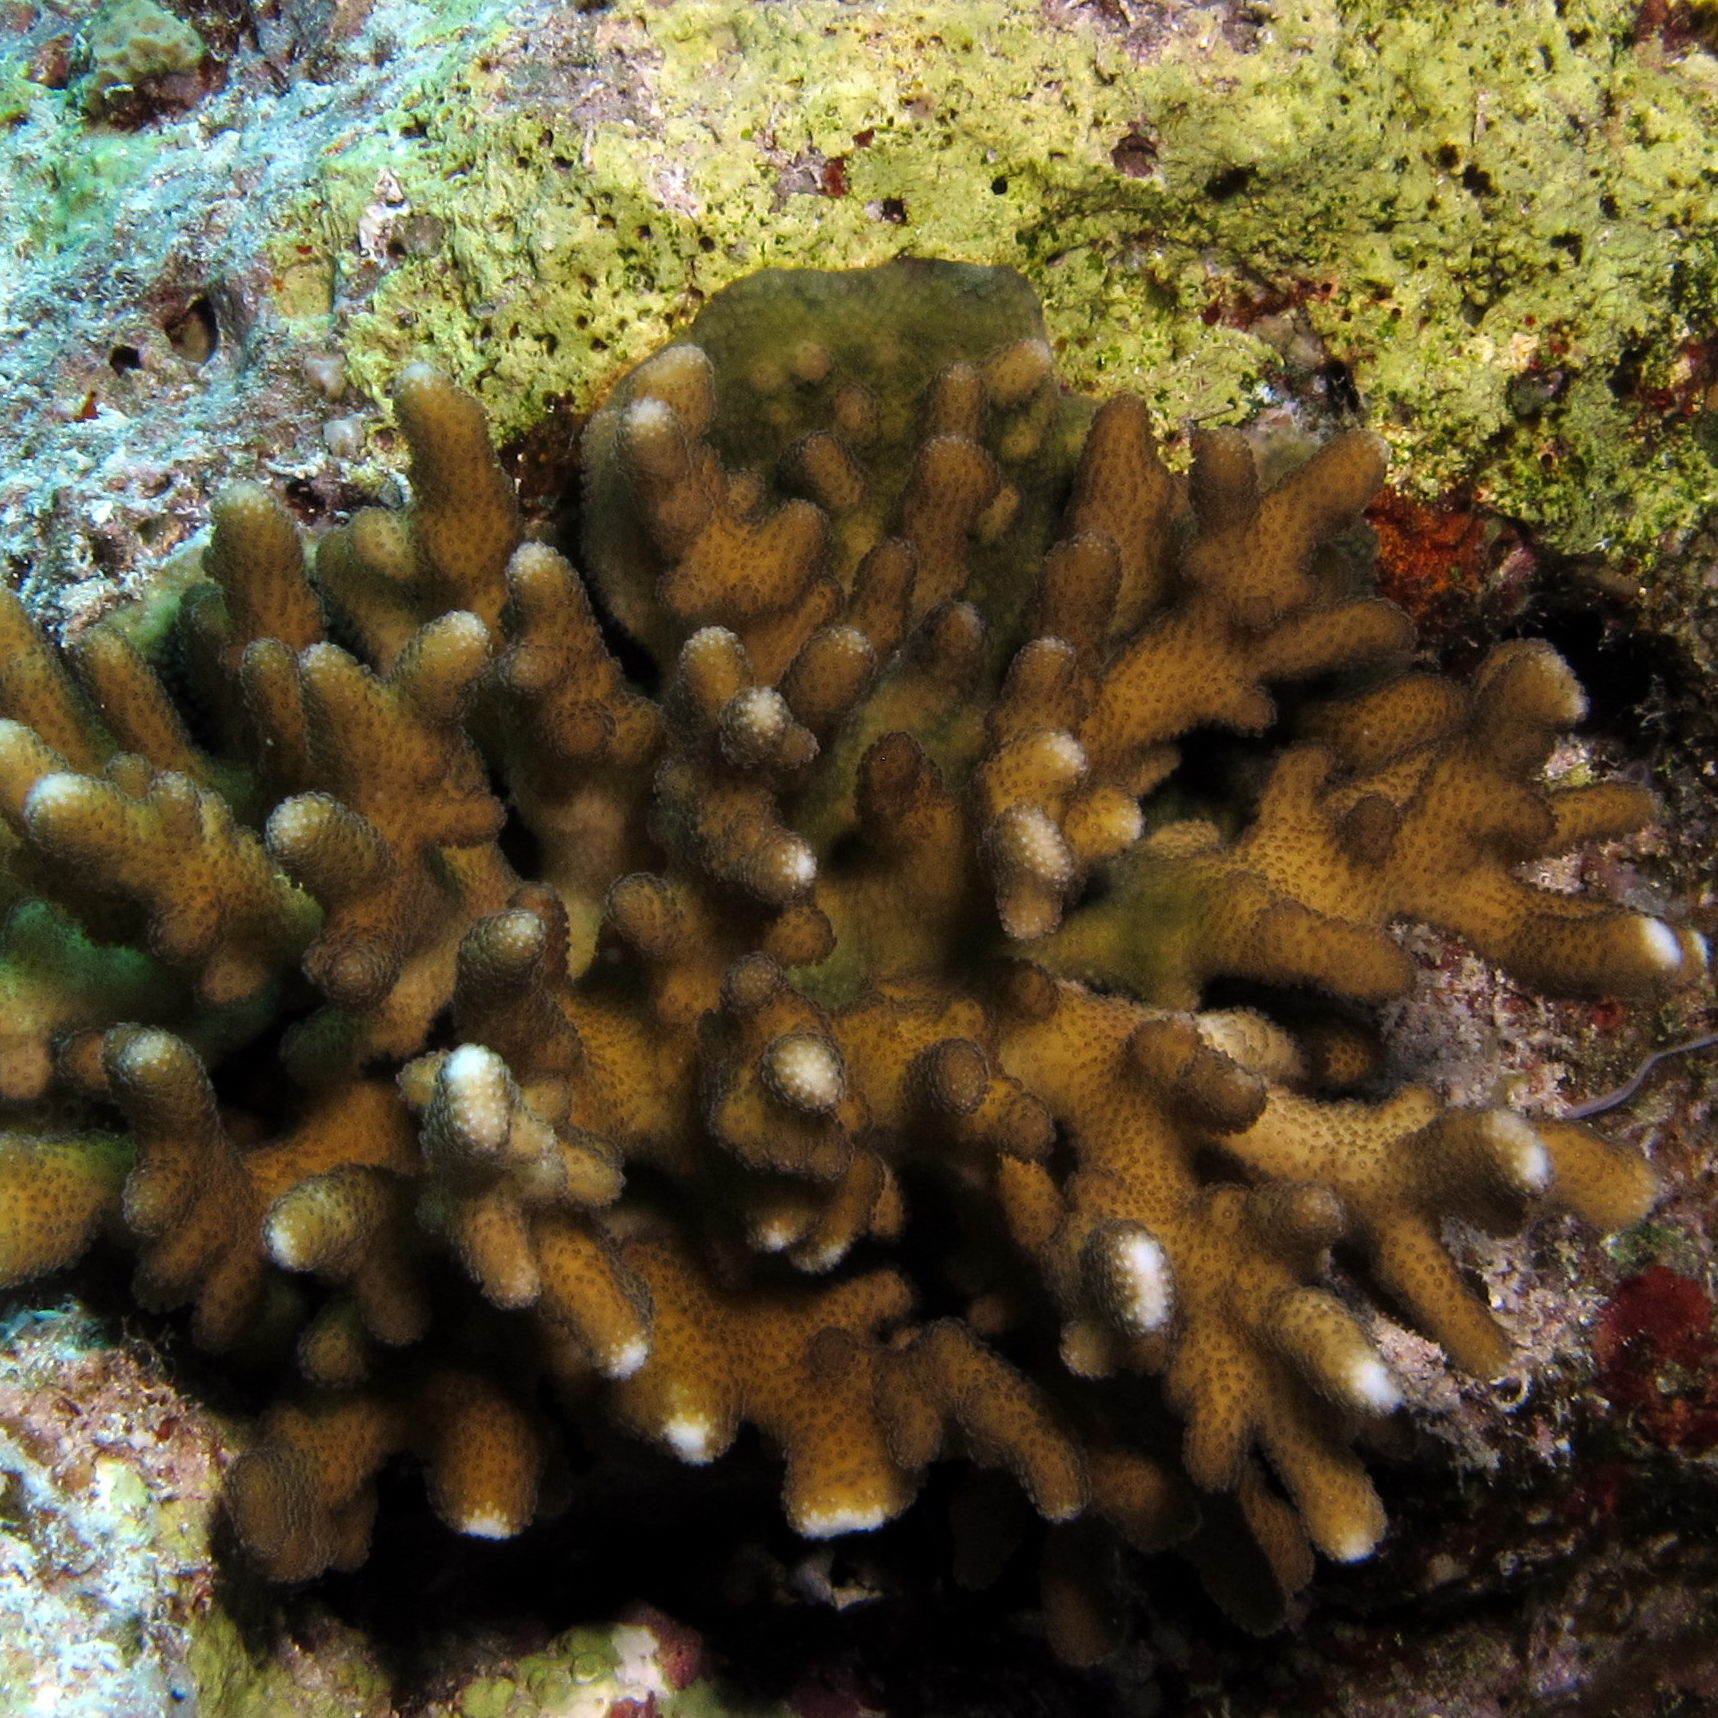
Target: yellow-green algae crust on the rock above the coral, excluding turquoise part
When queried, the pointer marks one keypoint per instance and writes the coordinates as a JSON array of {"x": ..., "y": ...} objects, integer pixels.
[{"x": 1454, "y": 197}]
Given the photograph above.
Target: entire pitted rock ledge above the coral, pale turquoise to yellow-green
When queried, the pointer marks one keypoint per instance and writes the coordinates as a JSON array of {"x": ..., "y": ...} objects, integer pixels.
[{"x": 1497, "y": 222}]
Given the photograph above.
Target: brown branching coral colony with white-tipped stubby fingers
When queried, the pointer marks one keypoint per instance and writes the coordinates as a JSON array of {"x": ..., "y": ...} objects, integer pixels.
[{"x": 841, "y": 1068}]
